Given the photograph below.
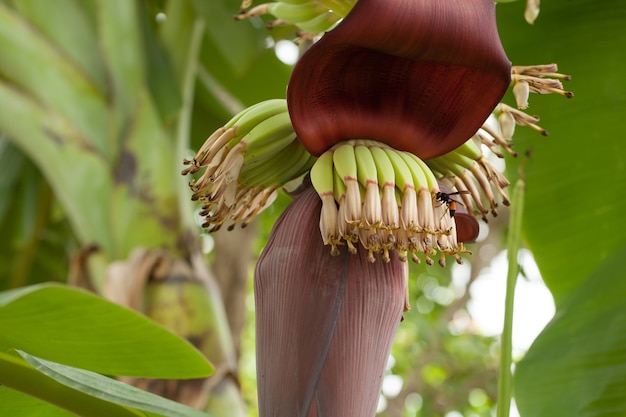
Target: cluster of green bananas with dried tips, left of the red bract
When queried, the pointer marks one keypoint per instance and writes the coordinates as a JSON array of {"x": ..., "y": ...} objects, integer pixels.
[{"x": 244, "y": 164}]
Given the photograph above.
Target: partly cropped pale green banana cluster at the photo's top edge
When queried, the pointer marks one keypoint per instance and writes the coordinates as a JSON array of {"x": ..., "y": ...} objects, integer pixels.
[{"x": 311, "y": 16}]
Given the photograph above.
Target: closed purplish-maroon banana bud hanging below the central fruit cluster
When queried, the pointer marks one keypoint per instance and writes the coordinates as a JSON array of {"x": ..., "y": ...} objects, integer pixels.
[{"x": 325, "y": 324}]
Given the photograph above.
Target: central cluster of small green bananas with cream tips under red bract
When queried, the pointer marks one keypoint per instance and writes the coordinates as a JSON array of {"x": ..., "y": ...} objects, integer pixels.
[{"x": 386, "y": 200}]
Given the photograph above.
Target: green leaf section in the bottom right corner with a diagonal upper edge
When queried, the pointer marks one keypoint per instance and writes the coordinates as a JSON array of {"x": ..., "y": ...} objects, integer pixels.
[{"x": 577, "y": 366}]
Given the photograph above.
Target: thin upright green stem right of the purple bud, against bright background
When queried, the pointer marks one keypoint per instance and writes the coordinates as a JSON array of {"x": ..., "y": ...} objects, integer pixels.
[{"x": 513, "y": 246}]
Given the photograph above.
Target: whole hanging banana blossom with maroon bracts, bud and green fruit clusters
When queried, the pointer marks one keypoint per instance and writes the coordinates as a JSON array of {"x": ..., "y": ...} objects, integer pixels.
[{"x": 395, "y": 111}]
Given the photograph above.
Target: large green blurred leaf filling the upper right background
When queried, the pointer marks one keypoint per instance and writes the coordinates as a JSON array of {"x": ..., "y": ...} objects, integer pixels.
[{"x": 575, "y": 176}]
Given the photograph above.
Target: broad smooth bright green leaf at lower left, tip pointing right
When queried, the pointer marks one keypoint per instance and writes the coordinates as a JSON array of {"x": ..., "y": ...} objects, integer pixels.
[{"x": 80, "y": 329}]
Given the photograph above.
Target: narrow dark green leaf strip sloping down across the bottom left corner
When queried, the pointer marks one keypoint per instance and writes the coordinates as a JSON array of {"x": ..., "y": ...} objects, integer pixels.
[{"x": 20, "y": 376}]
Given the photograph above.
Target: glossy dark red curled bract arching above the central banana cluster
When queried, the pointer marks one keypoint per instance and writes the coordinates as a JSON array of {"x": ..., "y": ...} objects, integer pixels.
[{"x": 419, "y": 75}]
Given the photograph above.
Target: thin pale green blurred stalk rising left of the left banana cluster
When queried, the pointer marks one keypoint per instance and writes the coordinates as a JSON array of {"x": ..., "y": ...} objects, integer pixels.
[{"x": 183, "y": 132}]
